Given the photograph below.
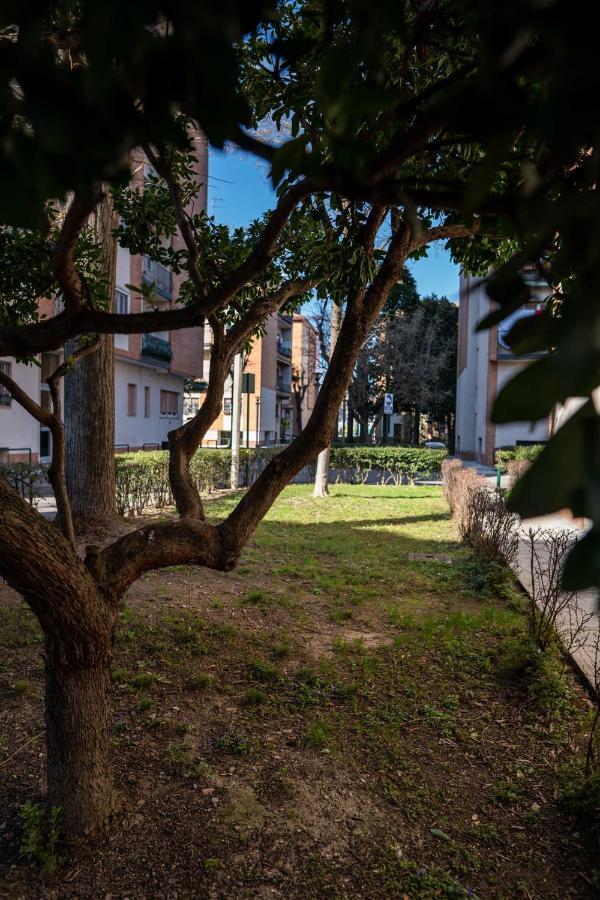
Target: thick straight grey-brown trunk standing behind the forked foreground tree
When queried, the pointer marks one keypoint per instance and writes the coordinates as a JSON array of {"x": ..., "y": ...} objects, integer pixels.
[{"x": 90, "y": 408}]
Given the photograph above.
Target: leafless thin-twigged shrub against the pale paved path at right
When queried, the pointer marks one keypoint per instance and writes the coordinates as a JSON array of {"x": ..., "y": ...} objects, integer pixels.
[{"x": 553, "y": 612}]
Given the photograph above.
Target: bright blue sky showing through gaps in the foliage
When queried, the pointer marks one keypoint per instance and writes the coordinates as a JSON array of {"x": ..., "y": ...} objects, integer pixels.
[{"x": 239, "y": 190}]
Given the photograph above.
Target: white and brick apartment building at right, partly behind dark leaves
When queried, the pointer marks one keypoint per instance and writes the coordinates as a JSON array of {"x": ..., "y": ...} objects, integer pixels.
[{"x": 485, "y": 363}]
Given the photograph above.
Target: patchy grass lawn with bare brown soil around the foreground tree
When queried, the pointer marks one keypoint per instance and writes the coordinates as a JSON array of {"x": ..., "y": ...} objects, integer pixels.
[{"x": 331, "y": 719}]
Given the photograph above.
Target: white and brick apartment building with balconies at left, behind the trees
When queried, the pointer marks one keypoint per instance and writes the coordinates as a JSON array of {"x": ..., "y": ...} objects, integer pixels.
[{"x": 150, "y": 369}]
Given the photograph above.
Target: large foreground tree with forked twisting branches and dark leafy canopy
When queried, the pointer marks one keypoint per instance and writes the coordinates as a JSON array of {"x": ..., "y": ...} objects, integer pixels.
[{"x": 380, "y": 99}]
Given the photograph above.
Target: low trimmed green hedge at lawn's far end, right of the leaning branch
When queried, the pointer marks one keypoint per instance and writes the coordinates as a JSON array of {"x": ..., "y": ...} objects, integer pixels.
[{"x": 395, "y": 465}]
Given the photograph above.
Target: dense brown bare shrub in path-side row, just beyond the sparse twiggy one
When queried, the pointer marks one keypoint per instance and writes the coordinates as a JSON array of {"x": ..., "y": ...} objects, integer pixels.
[{"x": 489, "y": 526}]
